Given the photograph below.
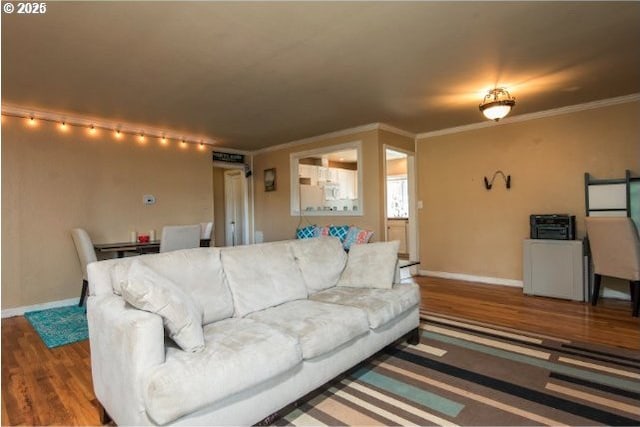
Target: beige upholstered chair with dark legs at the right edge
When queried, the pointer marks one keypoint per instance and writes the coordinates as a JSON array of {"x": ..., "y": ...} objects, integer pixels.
[{"x": 615, "y": 250}]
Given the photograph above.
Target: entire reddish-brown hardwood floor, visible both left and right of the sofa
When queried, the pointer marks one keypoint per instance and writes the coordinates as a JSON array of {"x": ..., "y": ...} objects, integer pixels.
[{"x": 42, "y": 386}]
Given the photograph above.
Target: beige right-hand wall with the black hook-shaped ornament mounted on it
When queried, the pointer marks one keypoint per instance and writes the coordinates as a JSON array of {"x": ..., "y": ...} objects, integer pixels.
[{"x": 467, "y": 229}]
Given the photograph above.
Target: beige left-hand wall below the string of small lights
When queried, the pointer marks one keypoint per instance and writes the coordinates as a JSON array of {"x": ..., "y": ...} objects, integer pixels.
[{"x": 52, "y": 182}]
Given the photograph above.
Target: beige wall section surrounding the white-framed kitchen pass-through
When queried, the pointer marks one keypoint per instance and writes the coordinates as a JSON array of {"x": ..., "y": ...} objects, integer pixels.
[{"x": 272, "y": 209}]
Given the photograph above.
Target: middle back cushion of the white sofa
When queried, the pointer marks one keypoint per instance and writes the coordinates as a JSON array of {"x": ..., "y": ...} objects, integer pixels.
[{"x": 262, "y": 276}]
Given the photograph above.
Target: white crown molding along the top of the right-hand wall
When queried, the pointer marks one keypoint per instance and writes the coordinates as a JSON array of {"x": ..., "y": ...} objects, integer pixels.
[{"x": 533, "y": 116}]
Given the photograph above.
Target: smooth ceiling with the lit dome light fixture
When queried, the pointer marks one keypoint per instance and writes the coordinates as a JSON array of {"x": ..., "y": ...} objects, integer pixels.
[{"x": 255, "y": 74}]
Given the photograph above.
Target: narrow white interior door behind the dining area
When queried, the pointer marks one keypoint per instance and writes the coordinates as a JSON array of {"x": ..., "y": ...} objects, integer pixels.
[{"x": 235, "y": 207}]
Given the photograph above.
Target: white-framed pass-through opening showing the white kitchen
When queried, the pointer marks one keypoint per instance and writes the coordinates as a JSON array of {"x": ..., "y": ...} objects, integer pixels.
[{"x": 327, "y": 181}]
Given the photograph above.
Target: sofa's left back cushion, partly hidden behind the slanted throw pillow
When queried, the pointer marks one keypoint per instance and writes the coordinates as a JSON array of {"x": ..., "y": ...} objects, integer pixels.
[{"x": 197, "y": 271}]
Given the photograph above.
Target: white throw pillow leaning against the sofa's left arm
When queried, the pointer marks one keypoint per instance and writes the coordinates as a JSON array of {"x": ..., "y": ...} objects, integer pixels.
[{"x": 150, "y": 291}]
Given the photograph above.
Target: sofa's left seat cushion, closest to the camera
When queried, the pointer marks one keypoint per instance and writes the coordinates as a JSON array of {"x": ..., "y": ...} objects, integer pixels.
[{"x": 239, "y": 354}]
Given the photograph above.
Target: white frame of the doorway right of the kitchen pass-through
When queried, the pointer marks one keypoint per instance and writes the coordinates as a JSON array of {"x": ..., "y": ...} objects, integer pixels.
[{"x": 412, "y": 231}]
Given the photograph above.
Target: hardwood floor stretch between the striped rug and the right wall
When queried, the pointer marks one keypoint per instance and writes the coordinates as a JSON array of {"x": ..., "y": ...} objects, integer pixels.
[{"x": 608, "y": 323}]
